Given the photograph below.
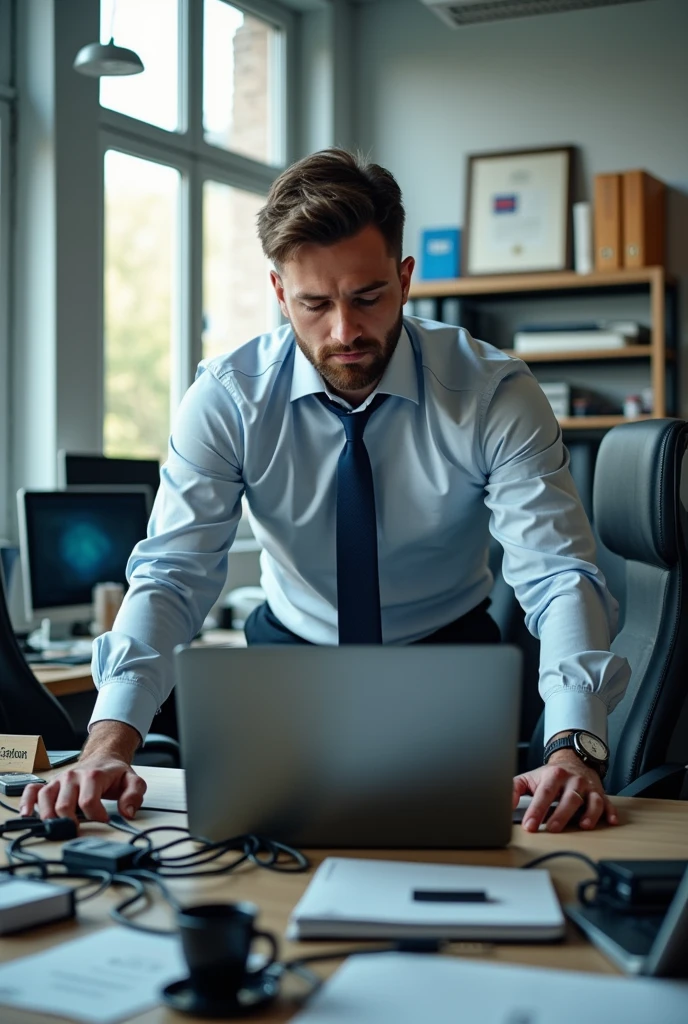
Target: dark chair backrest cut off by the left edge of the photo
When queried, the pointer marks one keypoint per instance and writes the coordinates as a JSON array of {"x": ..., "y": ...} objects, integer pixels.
[{"x": 27, "y": 708}]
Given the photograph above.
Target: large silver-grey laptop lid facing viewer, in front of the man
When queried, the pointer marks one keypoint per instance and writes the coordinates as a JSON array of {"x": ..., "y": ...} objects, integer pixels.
[{"x": 351, "y": 747}]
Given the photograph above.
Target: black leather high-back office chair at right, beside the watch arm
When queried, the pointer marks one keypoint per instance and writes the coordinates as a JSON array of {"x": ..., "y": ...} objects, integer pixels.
[{"x": 641, "y": 515}]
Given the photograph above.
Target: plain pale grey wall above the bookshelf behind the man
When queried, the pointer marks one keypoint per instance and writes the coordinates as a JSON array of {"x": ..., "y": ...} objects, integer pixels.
[{"x": 613, "y": 81}]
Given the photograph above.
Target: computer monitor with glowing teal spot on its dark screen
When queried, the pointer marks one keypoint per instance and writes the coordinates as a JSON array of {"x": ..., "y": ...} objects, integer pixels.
[{"x": 72, "y": 540}]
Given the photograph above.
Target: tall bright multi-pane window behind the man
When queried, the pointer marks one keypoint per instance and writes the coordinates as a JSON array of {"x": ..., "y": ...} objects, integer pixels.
[{"x": 190, "y": 147}]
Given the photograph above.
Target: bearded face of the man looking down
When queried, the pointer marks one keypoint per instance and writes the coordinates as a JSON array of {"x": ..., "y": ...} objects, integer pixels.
[{"x": 345, "y": 303}]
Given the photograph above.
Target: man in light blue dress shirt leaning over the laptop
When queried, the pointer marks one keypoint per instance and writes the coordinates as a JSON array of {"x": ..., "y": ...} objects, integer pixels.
[{"x": 464, "y": 445}]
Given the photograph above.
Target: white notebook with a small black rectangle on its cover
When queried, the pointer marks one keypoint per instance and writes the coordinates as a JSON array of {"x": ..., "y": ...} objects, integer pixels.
[{"x": 350, "y": 899}]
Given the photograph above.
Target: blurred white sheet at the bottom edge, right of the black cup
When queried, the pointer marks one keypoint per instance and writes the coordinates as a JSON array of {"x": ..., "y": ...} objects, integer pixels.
[{"x": 405, "y": 989}]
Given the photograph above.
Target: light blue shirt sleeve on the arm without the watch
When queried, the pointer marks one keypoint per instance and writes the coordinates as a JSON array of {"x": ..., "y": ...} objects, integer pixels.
[{"x": 178, "y": 573}]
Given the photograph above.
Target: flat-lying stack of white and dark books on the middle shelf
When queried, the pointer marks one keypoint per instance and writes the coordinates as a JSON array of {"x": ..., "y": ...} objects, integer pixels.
[{"x": 587, "y": 336}]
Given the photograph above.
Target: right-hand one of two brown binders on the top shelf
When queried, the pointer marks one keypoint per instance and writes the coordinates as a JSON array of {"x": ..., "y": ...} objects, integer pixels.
[{"x": 644, "y": 203}]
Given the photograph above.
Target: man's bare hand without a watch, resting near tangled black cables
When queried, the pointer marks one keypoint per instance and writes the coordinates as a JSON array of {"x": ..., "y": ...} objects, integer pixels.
[{"x": 103, "y": 773}]
